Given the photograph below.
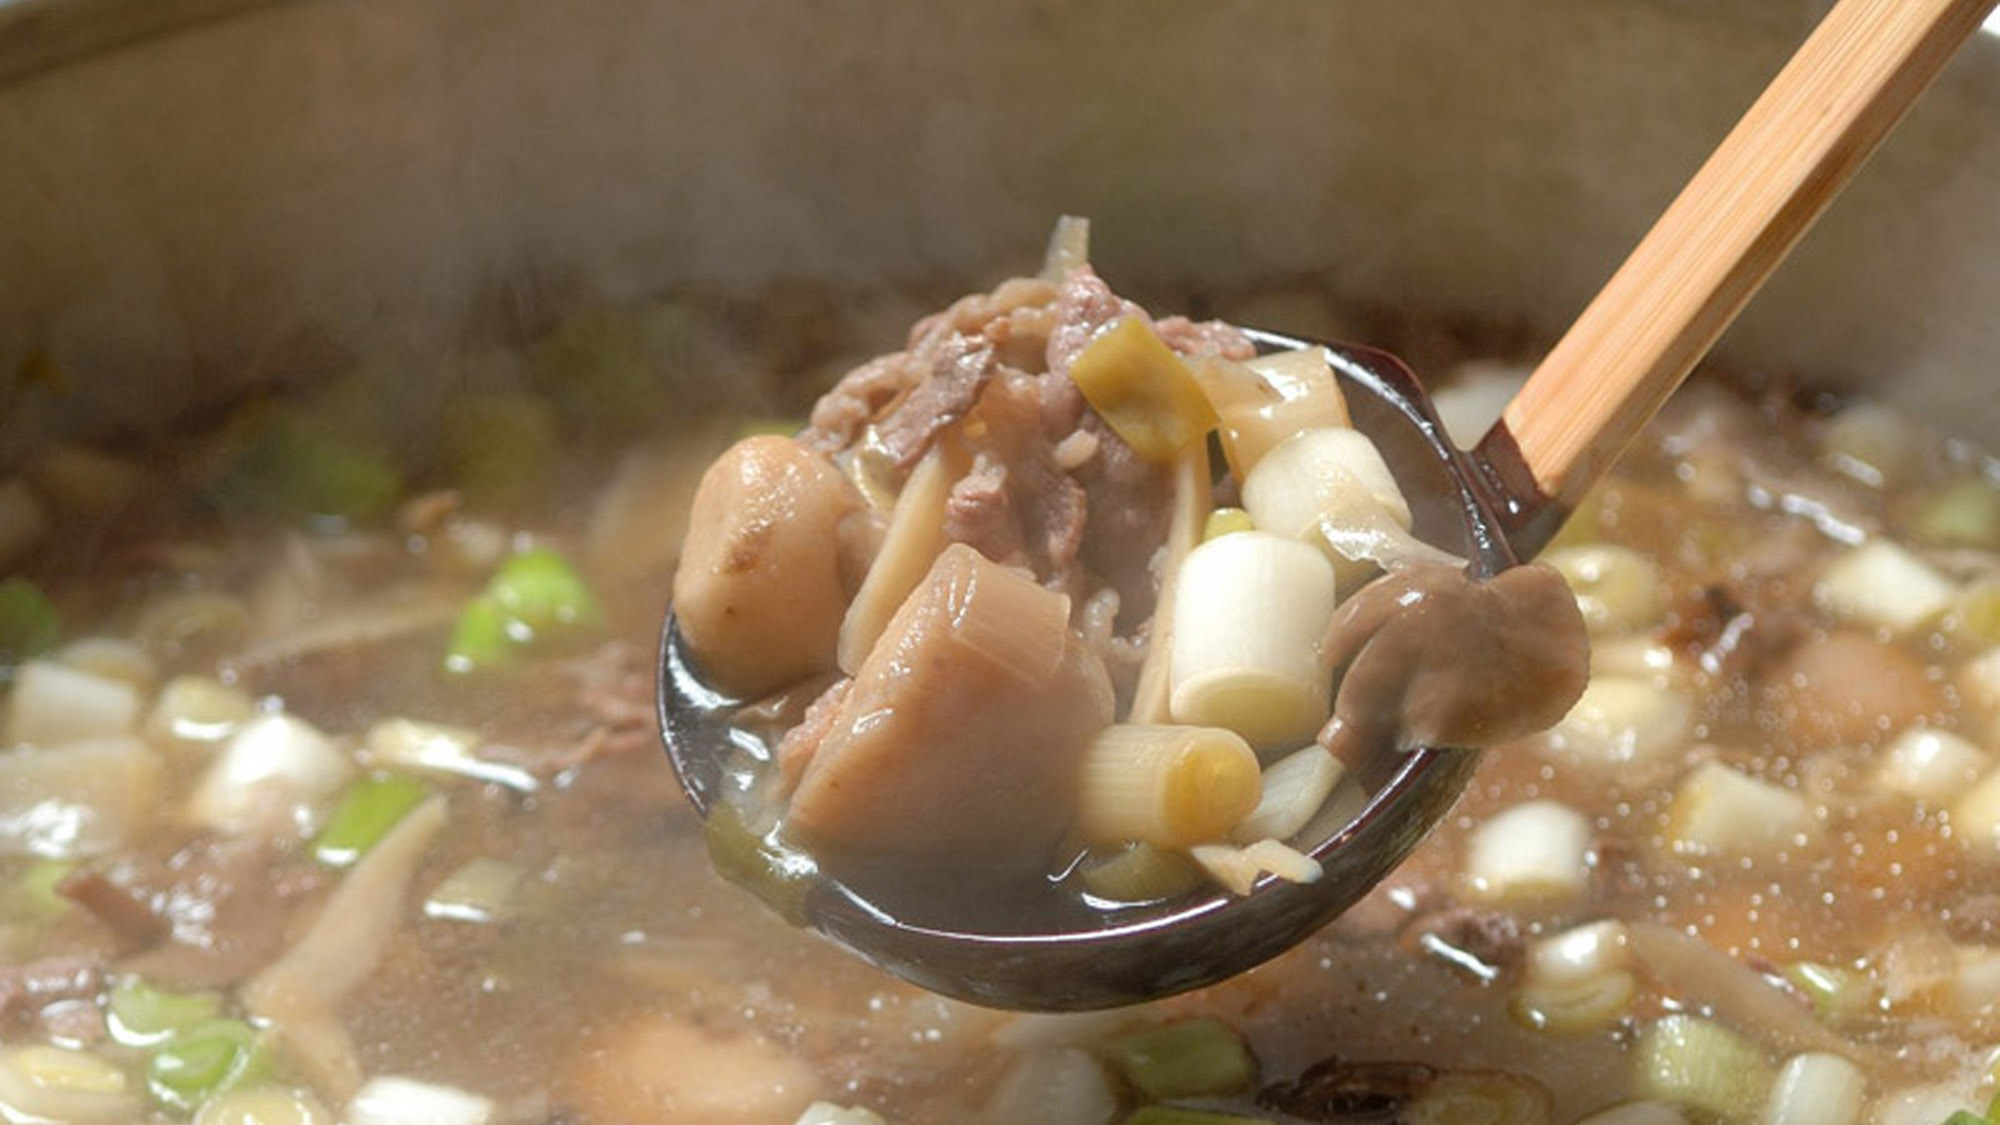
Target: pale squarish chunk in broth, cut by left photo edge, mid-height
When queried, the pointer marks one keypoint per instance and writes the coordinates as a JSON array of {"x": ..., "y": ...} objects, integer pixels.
[{"x": 79, "y": 800}]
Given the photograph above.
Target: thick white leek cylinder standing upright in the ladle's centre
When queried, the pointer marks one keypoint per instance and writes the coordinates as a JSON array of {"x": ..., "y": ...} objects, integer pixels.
[{"x": 1249, "y": 618}]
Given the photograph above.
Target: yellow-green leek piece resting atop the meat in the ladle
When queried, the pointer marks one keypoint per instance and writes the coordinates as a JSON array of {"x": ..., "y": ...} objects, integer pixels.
[{"x": 1143, "y": 391}]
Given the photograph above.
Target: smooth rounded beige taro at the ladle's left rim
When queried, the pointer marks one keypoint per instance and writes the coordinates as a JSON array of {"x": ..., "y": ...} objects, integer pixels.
[{"x": 761, "y": 590}]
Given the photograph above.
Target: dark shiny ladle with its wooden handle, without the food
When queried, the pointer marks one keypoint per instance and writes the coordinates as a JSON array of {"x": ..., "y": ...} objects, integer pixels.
[{"x": 1499, "y": 503}]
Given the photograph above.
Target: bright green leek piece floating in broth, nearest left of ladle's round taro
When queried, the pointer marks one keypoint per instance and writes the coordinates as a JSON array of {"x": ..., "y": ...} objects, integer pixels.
[{"x": 535, "y": 598}]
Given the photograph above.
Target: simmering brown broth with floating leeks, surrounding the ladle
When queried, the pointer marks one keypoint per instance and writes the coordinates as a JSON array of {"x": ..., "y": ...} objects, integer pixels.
[{"x": 1765, "y": 836}]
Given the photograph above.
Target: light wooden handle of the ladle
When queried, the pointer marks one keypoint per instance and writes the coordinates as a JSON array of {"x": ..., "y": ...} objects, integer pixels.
[{"x": 1711, "y": 251}]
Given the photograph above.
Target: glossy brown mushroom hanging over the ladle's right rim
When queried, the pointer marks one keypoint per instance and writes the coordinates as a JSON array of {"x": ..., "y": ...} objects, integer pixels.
[{"x": 1401, "y": 652}]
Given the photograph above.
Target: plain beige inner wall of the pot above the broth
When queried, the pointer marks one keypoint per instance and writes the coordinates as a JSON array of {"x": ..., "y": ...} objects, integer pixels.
[{"x": 211, "y": 209}]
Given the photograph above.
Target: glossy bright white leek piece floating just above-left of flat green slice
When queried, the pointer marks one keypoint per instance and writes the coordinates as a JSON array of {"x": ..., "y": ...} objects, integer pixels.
[{"x": 273, "y": 762}]
